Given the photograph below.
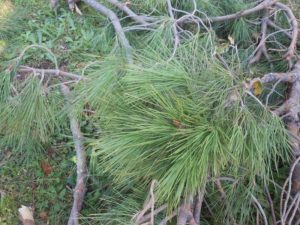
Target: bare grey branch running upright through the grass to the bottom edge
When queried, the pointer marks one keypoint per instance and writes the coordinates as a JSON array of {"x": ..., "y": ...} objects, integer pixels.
[{"x": 82, "y": 172}]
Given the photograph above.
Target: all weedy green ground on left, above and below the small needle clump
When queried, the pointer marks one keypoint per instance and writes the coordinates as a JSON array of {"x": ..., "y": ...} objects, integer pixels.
[{"x": 43, "y": 181}]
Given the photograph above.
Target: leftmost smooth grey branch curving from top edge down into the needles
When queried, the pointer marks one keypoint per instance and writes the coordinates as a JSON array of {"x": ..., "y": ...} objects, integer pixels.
[{"x": 116, "y": 23}]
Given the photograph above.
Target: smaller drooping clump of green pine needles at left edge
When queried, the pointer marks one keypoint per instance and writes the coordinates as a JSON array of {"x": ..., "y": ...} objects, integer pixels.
[{"x": 29, "y": 118}]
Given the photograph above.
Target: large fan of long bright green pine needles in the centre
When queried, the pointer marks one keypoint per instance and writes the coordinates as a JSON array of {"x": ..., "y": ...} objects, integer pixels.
[{"x": 169, "y": 122}]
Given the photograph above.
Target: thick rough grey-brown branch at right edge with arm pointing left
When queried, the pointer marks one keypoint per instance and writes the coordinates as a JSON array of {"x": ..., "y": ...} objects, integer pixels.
[{"x": 290, "y": 110}]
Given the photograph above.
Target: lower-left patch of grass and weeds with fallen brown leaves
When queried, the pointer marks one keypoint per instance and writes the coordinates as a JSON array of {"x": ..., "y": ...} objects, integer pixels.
[{"x": 25, "y": 183}]
